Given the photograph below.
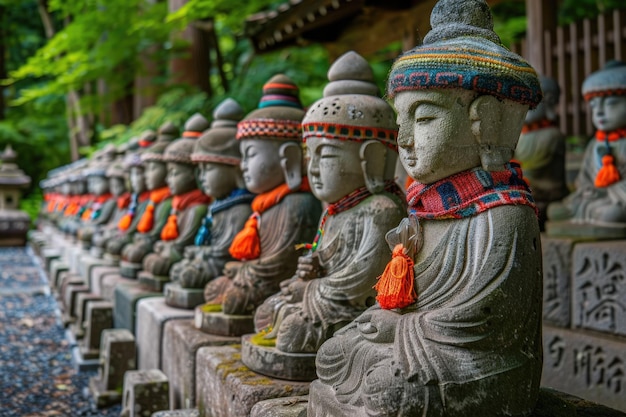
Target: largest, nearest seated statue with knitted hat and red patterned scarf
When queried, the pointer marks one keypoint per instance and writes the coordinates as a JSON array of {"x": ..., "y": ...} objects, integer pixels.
[{"x": 444, "y": 338}]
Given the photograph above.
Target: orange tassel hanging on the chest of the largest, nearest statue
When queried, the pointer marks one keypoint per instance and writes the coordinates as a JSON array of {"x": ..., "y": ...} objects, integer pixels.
[{"x": 396, "y": 284}]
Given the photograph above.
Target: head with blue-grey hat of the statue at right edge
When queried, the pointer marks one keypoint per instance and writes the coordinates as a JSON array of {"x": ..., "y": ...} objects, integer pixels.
[{"x": 605, "y": 91}]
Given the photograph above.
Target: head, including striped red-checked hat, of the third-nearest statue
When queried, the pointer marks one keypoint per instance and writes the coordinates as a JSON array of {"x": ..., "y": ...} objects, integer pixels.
[{"x": 271, "y": 138}]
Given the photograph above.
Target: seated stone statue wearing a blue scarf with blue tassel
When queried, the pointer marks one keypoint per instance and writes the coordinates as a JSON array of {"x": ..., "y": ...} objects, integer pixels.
[{"x": 217, "y": 157}]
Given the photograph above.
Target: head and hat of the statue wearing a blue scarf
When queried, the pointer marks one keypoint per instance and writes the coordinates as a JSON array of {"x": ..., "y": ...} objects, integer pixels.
[{"x": 217, "y": 153}]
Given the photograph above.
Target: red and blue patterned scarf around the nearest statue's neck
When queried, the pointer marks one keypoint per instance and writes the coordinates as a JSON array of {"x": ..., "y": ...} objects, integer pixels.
[{"x": 468, "y": 193}]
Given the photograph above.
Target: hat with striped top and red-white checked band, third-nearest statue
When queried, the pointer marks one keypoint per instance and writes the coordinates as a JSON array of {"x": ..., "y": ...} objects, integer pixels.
[{"x": 279, "y": 113}]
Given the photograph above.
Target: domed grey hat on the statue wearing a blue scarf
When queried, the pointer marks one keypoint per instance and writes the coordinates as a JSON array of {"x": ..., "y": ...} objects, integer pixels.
[{"x": 218, "y": 144}]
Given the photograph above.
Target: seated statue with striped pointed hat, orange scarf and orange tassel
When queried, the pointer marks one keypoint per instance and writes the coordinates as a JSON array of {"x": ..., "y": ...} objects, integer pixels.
[{"x": 285, "y": 213}]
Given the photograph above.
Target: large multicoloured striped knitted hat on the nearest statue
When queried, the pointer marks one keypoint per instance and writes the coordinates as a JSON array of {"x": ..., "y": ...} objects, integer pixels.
[{"x": 463, "y": 51}]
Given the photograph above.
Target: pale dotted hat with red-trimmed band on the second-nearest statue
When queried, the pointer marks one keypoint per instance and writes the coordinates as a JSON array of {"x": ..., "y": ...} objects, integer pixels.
[{"x": 351, "y": 109}]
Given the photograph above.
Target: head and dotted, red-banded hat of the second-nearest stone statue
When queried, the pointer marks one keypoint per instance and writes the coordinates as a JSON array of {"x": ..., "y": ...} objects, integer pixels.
[{"x": 350, "y": 133}]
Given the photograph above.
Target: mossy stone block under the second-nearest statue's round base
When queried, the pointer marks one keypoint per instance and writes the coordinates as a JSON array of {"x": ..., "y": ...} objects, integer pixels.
[{"x": 226, "y": 387}]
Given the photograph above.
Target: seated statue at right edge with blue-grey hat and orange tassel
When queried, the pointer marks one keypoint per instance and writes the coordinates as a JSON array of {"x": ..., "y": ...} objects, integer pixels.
[{"x": 599, "y": 200}]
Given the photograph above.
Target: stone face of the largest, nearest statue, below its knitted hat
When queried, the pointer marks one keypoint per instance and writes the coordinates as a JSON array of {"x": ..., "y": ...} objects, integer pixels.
[{"x": 435, "y": 139}]
